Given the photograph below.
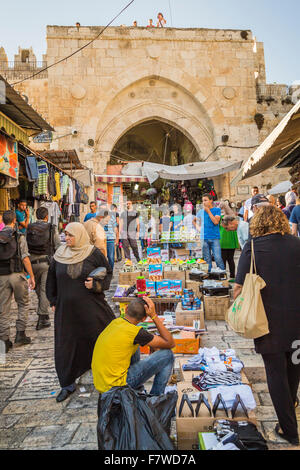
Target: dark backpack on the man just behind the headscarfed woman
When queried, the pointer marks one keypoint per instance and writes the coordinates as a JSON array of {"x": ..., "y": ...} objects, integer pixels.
[{"x": 39, "y": 239}]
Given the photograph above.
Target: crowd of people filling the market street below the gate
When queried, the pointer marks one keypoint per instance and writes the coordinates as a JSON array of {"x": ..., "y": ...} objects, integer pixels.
[{"x": 70, "y": 273}]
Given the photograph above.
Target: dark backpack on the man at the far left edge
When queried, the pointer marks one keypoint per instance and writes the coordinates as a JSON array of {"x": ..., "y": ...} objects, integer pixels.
[{"x": 10, "y": 257}]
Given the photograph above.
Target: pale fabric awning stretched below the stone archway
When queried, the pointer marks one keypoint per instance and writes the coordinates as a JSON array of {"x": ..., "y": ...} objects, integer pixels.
[{"x": 189, "y": 171}]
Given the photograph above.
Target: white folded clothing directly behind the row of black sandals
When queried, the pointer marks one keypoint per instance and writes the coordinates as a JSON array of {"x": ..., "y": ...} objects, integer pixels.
[{"x": 229, "y": 394}]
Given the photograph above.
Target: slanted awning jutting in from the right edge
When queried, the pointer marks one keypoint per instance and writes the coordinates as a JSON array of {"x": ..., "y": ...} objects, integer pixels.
[{"x": 281, "y": 145}]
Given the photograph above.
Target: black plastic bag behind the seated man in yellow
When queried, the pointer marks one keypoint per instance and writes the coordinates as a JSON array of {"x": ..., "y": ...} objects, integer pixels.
[{"x": 126, "y": 421}]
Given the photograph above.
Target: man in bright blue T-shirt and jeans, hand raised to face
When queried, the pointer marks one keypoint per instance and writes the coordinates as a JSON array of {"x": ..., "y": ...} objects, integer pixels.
[{"x": 209, "y": 218}]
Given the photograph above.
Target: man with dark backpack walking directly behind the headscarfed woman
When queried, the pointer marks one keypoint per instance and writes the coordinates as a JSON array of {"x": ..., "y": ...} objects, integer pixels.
[{"x": 42, "y": 240}]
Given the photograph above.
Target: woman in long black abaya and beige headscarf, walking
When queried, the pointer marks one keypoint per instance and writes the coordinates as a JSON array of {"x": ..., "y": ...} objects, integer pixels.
[{"x": 81, "y": 311}]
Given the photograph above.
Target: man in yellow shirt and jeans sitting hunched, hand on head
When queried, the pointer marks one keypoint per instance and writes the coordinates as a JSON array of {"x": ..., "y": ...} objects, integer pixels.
[{"x": 116, "y": 358}]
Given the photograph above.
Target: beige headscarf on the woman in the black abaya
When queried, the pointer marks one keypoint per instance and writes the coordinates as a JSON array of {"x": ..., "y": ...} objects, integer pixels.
[{"x": 80, "y": 251}]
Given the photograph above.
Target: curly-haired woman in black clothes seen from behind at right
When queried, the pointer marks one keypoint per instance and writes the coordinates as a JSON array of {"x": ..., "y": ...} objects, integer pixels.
[{"x": 277, "y": 257}]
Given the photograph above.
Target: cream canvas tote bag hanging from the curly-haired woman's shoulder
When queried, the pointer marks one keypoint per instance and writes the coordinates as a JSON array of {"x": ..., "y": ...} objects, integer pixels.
[{"x": 247, "y": 316}]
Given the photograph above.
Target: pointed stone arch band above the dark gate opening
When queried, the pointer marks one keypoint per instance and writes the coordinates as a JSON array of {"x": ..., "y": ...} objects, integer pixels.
[{"x": 149, "y": 99}]
